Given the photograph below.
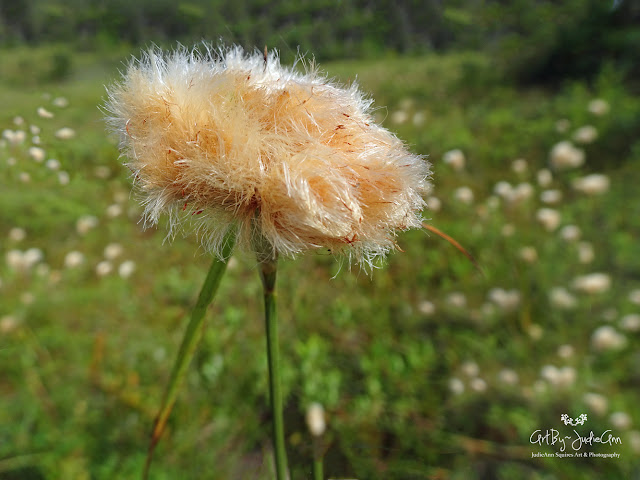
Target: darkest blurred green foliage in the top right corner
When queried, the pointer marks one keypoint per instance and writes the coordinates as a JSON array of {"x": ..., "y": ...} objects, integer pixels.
[{"x": 547, "y": 41}]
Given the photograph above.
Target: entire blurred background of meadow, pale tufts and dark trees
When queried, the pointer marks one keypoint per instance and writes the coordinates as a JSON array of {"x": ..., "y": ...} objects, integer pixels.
[{"x": 427, "y": 369}]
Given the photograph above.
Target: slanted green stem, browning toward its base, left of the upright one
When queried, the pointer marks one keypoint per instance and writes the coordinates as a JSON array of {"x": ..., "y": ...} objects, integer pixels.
[{"x": 190, "y": 341}]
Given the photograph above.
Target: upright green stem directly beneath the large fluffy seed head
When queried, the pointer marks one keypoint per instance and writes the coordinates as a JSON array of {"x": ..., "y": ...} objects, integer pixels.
[{"x": 268, "y": 269}]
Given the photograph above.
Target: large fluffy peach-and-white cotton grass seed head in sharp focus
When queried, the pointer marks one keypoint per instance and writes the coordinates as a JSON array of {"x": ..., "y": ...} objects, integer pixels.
[{"x": 220, "y": 137}]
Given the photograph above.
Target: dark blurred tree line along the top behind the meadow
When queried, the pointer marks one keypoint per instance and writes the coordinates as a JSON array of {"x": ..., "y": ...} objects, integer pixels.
[{"x": 532, "y": 40}]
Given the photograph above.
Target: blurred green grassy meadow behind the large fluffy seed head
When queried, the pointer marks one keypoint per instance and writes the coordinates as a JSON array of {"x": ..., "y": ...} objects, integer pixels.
[{"x": 85, "y": 356}]
